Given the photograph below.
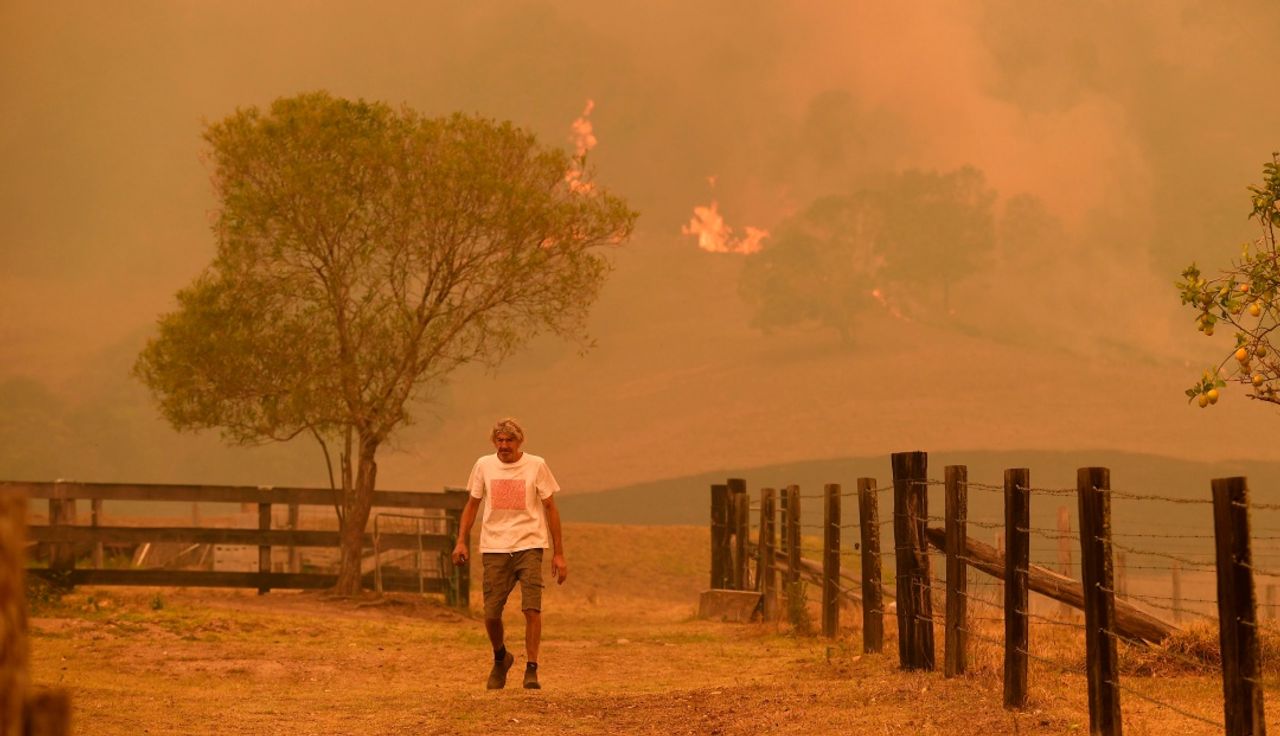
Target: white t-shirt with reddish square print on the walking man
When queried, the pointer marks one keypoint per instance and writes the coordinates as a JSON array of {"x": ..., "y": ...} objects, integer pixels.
[{"x": 514, "y": 493}]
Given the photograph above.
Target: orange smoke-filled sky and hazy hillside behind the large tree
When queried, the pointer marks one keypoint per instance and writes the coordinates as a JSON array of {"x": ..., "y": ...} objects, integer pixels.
[{"x": 1133, "y": 127}]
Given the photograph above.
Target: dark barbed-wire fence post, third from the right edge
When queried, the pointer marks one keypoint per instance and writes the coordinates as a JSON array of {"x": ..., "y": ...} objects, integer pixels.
[{"x": 1018, "y": 522}]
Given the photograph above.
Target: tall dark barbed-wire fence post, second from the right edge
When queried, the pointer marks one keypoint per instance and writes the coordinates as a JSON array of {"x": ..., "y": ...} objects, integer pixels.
[{"x": 1094, "y": 487}]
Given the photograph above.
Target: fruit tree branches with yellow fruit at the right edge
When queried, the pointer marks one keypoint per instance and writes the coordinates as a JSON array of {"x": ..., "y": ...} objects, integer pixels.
[{"x": 1247, "y": 299}]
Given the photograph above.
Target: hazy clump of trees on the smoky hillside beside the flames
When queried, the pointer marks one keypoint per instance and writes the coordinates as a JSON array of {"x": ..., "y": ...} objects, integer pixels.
[{"x": 920, "y": 231}]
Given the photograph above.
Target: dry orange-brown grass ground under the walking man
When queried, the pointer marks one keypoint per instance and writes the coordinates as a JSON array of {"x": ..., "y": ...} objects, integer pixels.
[{"x": 623, "y": 653}]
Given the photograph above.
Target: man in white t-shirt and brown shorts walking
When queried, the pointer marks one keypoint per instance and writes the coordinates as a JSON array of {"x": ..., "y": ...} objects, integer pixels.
[{"x": 520, "y": 522}]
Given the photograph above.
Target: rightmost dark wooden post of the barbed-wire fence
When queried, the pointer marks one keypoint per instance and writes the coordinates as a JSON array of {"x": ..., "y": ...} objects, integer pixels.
[{"x": 1237, "y": 610}]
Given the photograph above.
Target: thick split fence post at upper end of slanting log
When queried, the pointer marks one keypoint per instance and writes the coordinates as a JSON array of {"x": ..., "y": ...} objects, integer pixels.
[{"x": 915, "y": 598}]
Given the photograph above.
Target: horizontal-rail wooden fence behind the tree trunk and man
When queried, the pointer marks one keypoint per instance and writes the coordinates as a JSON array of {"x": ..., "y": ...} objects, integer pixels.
[{"x": 67, "y": 541}]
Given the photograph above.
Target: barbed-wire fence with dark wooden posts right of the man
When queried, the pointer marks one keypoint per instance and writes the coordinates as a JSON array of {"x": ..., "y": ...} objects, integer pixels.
[{"x": 1110, "y": 619}]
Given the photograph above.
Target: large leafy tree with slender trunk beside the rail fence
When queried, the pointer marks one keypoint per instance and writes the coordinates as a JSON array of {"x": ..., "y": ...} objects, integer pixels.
[{"x": 364, "y": 253}]
